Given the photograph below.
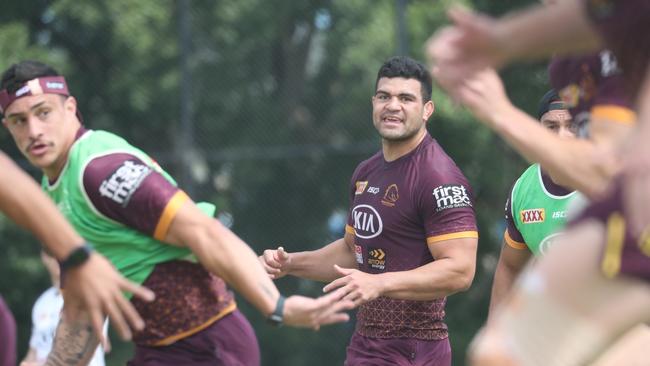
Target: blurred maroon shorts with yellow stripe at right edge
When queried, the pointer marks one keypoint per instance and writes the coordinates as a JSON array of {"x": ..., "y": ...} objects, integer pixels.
[{"x": 623, "y": 253}]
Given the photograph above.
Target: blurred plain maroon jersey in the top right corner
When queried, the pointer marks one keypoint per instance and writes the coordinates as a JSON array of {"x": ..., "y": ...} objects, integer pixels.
[{"x": 625, "y": 25}]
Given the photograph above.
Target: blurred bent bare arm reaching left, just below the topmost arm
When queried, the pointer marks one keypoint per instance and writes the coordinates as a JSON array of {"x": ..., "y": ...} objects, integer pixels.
[{"x": 585, "y": 165}]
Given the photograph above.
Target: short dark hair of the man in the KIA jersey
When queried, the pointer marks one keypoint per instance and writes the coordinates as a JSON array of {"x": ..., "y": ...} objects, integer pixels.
[{"x": 408, "y": 68}]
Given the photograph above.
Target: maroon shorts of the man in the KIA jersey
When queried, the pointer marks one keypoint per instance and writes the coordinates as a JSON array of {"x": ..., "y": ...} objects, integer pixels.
[{"x": 364, "y": 351}]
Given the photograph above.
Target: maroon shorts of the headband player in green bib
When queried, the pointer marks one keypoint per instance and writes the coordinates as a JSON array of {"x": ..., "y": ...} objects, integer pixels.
[{"x": 230, "y": 341}]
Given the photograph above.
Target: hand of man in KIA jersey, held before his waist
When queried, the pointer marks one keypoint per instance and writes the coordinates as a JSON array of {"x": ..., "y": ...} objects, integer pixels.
[{"x": 358, "y": 287}]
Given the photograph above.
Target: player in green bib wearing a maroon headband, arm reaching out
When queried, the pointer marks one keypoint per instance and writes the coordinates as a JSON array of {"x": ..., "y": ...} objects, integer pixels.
[{"x": 131, "y": 211}]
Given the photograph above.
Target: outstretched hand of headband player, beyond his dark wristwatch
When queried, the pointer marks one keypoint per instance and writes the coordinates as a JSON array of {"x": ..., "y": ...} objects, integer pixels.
[{"x": 300, "y": 311}]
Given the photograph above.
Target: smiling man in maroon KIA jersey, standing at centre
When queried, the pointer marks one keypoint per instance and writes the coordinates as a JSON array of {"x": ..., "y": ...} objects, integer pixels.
[{"x": 410, "y": 238}]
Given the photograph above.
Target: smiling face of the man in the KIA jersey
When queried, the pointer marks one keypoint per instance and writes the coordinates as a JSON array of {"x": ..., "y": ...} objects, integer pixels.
[{"x": 398, "y": 111}]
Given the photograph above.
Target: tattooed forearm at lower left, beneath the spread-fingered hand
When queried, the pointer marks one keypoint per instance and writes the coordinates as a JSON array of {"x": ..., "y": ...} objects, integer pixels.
[{"x": 74, "y": 344}]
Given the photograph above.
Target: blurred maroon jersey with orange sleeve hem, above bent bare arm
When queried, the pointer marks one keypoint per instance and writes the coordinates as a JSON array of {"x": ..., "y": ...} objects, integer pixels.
[{"x": 592, "y": 86}]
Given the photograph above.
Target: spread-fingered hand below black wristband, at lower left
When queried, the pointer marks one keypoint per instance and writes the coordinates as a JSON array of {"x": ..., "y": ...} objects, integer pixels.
[{"x": 97, "y": 287}]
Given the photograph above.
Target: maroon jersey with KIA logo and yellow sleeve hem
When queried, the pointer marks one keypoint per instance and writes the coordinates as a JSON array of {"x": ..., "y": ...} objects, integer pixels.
[{"x": 398, "y": 208}]
